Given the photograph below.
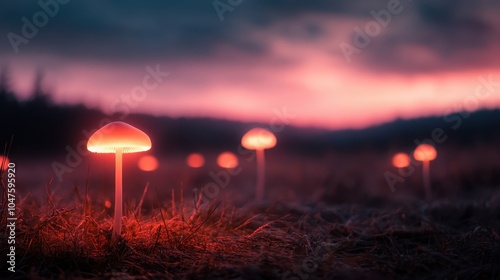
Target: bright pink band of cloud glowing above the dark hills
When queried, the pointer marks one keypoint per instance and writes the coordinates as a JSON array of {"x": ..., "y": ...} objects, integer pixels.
[{"x": 318, "y": 86}]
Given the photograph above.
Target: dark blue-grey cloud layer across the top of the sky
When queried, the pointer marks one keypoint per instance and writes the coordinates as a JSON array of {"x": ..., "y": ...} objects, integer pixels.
[{"x": 429, "y": 35}]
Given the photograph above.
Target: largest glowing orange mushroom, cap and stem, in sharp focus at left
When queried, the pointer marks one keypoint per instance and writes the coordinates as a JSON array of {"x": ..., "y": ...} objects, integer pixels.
[{"x": 118, "y": 138}]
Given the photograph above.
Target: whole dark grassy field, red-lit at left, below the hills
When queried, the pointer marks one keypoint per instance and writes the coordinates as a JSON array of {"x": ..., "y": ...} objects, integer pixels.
[{"x": 335, "y": 228}]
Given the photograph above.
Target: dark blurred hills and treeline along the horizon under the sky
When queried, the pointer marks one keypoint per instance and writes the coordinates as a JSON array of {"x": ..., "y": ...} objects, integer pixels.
[{"x": 66, "y": 123}]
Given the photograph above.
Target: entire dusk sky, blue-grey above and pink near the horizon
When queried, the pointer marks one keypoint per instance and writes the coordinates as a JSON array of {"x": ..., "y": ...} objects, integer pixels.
[{"x": 329, "y": 64}]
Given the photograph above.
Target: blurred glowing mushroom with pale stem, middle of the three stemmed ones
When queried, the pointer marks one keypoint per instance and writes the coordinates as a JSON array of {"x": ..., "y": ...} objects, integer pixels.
[{"x": 259, "y": 139}]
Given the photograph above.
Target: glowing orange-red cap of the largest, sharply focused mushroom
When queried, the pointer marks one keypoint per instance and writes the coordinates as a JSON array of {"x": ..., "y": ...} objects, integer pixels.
[{"x": 118, "y": 135}]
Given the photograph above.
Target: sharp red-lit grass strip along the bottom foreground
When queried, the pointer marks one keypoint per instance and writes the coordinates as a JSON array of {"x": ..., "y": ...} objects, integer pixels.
[{"x": 279, "y": 240}]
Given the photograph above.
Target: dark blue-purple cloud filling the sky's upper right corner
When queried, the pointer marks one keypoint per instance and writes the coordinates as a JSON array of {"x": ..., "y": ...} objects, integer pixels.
[{"x": 438, "y": 36}]
